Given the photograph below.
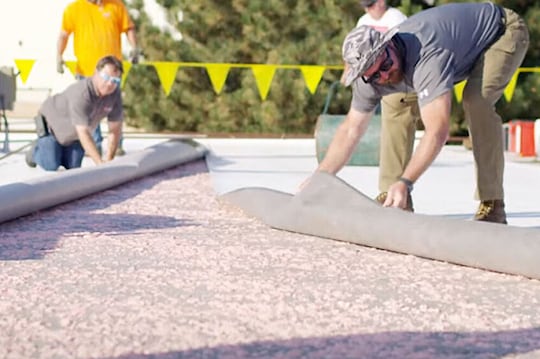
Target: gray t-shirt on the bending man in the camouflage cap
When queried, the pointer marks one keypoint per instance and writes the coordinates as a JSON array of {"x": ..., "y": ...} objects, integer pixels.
[{"x": 440, "y": 47}]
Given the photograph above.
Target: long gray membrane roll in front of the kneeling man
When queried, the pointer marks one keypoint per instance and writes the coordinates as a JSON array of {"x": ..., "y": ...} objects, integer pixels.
[{"x": 22, "y": 198}]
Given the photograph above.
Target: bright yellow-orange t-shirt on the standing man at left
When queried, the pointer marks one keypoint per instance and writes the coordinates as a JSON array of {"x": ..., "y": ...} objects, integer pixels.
[{"x": 97, "y": 31}]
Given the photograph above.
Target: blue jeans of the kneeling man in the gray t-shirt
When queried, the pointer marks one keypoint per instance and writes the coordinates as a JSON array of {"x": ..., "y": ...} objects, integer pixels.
[{"x": 49, "y": 154}]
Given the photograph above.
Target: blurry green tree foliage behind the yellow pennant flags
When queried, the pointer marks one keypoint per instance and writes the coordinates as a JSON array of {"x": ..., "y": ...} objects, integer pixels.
[{"x": 299, "y": 32}]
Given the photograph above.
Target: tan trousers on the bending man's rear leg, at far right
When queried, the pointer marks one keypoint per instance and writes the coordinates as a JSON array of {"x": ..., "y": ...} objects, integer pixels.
[{"x": 484, "y": 88}]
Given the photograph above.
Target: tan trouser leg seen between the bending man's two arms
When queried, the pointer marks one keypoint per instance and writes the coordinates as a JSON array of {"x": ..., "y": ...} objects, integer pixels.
[{"x": 399, "y": 113}]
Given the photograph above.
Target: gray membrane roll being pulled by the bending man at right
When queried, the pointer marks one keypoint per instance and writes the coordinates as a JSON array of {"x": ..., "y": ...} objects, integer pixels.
[{"x": 328, "y": 207}]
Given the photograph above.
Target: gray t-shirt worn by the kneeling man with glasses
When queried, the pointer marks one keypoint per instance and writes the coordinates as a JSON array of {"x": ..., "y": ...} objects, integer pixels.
[{"x": 80, "y": 104}]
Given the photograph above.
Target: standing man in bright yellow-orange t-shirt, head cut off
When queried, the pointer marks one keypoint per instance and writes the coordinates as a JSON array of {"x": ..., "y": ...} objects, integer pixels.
[{"x": 97, "y": 26}]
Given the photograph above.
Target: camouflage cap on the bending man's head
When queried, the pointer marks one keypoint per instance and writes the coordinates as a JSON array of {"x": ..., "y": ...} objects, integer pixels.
[{"x": 362, "y": 47}]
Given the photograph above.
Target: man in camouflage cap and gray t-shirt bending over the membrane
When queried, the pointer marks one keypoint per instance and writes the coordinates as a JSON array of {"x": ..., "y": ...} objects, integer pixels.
[{"x": 427, "y": 54}]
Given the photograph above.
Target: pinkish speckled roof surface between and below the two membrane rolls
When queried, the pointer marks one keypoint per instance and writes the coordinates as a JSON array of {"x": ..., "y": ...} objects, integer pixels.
[{"x": 159, "y": 268}]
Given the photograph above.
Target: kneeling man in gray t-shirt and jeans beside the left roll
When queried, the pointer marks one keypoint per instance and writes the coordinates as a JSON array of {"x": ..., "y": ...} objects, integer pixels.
[{"x": 70, "y": 117}]
